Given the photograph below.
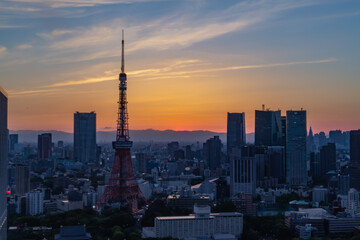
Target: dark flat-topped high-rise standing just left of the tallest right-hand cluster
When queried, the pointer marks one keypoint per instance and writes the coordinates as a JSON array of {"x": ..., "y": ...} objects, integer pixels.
[{"x": 236, "y": 135}]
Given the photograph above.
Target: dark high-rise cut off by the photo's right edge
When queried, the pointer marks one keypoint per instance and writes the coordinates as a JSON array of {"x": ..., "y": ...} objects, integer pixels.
[{"x": 354, "y": 169}]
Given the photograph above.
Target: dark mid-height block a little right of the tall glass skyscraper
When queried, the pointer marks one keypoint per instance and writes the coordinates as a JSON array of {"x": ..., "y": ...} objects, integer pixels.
[{"x": 327, "y": 158}]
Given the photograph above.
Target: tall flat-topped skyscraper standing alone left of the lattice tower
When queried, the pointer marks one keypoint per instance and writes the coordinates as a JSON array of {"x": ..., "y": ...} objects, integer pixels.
[{"x": 85, "y": 137}]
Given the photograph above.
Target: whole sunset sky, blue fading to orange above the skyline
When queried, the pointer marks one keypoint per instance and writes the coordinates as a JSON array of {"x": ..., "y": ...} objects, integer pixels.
[{"x": 189, "y": 62}]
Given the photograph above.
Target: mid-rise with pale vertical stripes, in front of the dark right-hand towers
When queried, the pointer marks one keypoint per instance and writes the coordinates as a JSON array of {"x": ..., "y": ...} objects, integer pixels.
[{"x": 243, "y": 170}]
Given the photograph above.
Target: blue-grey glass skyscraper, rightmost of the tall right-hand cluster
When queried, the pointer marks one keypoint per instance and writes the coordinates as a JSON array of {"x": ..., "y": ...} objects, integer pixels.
[{"x": 296, "y": 169}]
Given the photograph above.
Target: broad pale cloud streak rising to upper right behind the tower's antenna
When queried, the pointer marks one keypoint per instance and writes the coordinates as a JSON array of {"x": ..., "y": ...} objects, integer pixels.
[{"x": 177, "y": 30}]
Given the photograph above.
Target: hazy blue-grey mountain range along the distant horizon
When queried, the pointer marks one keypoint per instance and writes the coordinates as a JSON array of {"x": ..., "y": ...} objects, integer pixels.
[{"x": 148, "y": 135}]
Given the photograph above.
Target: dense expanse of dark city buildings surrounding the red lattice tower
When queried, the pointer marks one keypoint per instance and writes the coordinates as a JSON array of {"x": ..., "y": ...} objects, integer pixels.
[{"x": 284, "y": 159}]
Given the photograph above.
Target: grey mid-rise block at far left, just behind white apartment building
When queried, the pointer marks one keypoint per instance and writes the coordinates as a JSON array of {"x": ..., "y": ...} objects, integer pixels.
[{"x": 22, "y": 179}]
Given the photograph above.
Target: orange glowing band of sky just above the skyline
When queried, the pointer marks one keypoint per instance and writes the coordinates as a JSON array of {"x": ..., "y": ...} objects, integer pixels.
[{"x": 193, "y": 99}]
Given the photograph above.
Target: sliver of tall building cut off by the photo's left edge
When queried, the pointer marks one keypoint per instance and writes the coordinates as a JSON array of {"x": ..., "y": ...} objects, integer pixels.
[{"x": 3, "y": 162}]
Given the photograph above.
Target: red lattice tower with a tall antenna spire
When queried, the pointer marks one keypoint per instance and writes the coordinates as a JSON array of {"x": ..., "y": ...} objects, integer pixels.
[{"x": 122, "y": 187}]
